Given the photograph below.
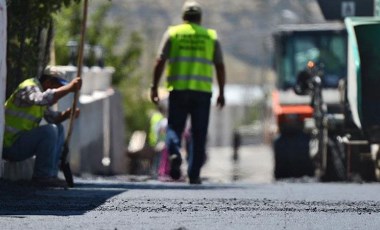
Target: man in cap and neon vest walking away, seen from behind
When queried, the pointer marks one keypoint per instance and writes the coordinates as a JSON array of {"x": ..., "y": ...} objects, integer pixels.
[{"x": 191, "y": 51}]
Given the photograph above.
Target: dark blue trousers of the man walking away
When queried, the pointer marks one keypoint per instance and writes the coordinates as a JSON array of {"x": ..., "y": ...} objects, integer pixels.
[{"x": 197, "y": 105}]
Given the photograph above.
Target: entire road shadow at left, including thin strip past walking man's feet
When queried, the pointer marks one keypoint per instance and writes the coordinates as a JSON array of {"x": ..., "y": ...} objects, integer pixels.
[{"x": 19, "y": 199}]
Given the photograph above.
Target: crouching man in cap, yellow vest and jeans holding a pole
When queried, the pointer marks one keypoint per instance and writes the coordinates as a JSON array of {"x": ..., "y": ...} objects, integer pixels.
[{"x": 23, "y": 135}]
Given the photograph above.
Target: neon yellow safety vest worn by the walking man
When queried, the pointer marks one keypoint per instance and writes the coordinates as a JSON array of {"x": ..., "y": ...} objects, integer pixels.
[{"x": 191, "y": 58}]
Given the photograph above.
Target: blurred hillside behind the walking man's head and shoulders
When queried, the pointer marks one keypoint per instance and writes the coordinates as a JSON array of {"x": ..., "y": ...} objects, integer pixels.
[{"x": 244, "y": 27}]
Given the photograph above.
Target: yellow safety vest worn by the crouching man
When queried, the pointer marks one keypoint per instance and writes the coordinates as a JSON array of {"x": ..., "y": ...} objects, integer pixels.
[{"x": 20, "y": 119}]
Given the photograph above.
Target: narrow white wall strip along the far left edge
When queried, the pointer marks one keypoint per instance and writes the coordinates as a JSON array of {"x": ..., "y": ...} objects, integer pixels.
[{"x": 3, "y": 72}]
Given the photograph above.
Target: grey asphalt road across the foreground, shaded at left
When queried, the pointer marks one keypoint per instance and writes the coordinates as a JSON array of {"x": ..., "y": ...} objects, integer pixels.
[{"x": 230, "y": 198}]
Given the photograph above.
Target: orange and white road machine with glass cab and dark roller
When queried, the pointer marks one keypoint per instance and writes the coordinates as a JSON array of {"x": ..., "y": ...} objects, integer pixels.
[{"x": 296, "y": 45}]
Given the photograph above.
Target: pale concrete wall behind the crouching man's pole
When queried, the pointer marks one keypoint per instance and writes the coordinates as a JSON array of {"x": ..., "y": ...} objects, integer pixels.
[{"x": 97, "y": 142}]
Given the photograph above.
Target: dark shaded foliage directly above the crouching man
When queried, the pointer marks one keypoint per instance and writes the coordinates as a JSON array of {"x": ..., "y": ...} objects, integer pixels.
[{"x": 29, "y": 35}]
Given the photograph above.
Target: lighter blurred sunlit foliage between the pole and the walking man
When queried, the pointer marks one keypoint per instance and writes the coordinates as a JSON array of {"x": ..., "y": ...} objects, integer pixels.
[{"x": 124, "y": 56}]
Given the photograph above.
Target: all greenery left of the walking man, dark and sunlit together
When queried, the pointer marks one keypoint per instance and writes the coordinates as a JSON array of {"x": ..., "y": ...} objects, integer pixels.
[{"x": 32, "y": 24}]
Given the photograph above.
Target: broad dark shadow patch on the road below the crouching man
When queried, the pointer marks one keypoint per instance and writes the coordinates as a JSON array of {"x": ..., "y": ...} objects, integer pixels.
[{"x": 25, "y": 199}]
